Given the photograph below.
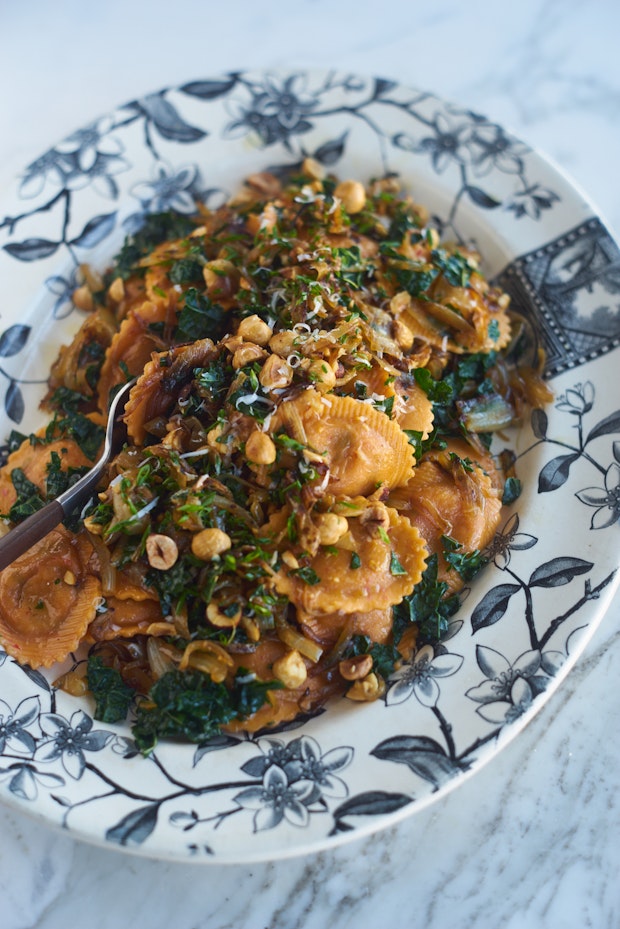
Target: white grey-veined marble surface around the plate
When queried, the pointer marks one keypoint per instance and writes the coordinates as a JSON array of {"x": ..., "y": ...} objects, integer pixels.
[{"x": 531, "y": 840}]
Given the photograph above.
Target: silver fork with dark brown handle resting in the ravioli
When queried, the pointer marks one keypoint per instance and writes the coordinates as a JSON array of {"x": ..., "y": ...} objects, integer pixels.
[{"x": 36, "y": 526}]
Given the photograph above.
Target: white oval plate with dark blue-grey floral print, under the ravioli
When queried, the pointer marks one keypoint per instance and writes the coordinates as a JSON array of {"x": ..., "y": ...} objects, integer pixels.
[{"x": 353, "y": 769}]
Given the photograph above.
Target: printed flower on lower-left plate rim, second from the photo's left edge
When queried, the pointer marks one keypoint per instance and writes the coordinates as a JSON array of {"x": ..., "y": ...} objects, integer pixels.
[{"x": 69, "y": 739}]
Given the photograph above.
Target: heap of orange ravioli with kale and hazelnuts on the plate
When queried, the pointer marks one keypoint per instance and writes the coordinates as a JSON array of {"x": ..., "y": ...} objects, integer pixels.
[{"x": 306, "y": 483}]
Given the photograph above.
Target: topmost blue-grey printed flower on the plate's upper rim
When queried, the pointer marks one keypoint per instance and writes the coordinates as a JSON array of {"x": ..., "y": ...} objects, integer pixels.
[{"x": 275, "y": 110}]
